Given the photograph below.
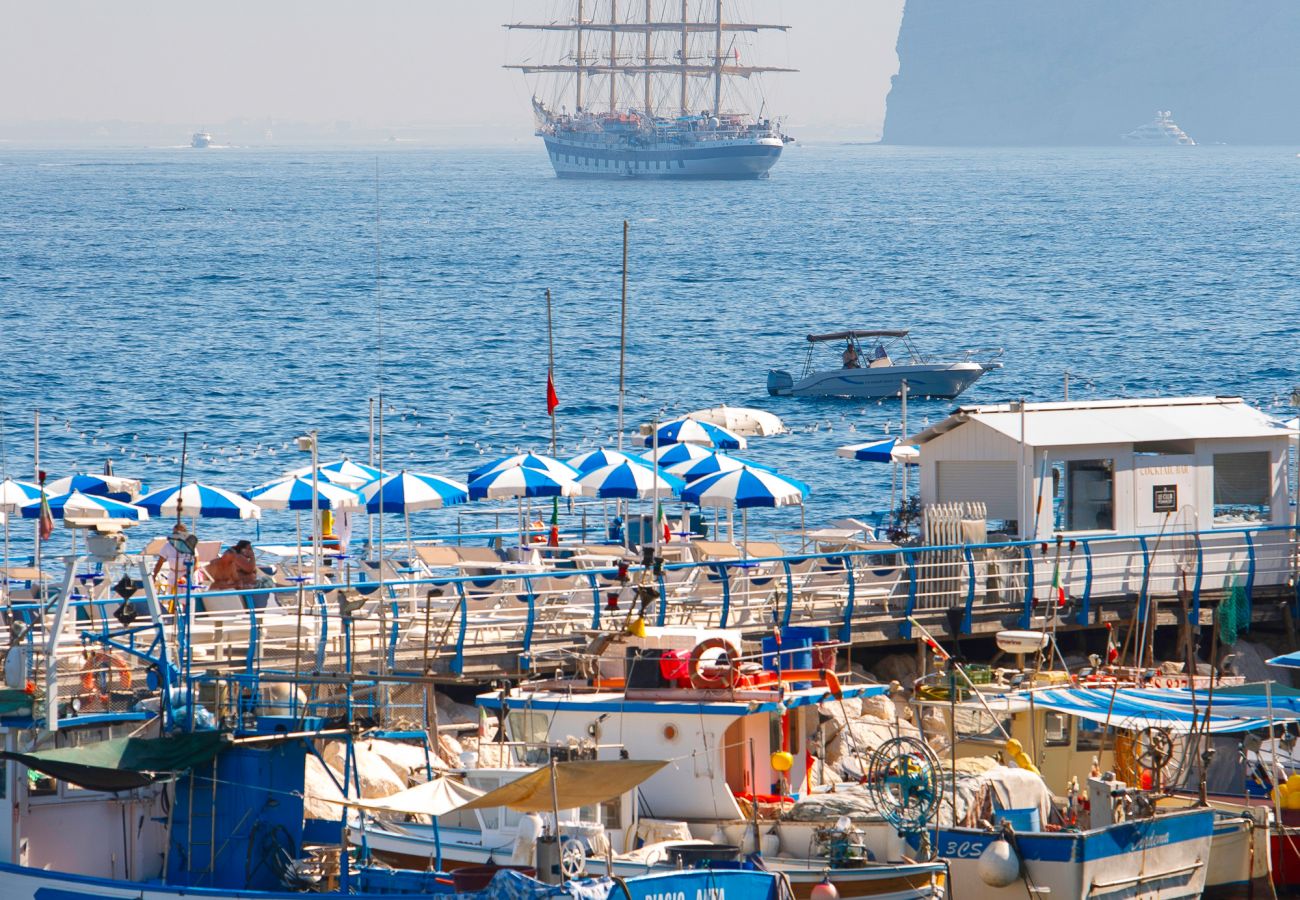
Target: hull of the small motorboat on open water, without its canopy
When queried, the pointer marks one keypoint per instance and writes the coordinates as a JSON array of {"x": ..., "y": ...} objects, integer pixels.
[{"x": 939, "y": 380}]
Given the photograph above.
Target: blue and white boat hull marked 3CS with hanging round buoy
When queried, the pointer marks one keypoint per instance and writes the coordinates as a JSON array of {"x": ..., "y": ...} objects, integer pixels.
[{"x": 1160, "y": 859}]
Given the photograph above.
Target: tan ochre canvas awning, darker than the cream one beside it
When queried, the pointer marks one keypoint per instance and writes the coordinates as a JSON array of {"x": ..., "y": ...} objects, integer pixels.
[{"x": 583, "y": 784}]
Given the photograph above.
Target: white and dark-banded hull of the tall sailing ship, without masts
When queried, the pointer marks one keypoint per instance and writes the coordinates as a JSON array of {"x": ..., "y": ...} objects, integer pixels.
[{"x": 714, "y": 161}]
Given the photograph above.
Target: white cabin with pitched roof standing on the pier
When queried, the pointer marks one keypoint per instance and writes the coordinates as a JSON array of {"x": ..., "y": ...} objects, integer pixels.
[{"x": 1130, "y": 469}]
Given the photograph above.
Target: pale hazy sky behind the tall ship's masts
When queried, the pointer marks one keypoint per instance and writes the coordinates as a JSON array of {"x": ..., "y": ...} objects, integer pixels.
[{"x": 428, "y": 67}]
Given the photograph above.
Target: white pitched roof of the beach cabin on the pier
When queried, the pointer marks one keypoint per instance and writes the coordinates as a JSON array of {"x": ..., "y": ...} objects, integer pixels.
[{"x": 1117, "y": 422}]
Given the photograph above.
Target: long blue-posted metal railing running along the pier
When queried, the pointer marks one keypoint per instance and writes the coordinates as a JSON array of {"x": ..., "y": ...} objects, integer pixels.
[{"x": 518, "y": 621}]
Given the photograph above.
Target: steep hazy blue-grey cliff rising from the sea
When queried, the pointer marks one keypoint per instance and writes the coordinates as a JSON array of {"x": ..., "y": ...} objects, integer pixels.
[{"x": 1085, "y": 72}]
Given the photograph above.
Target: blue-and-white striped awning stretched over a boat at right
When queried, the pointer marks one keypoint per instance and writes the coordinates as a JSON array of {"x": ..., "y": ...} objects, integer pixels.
[{"x": 1181, "y": 712}]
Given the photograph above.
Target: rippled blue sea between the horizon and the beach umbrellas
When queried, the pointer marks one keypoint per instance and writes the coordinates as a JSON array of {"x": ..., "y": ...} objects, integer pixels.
[{"x": 232, "y": 293}]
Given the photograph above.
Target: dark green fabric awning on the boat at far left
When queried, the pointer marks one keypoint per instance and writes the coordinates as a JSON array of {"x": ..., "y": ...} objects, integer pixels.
[{"x": 124, "y": 763}]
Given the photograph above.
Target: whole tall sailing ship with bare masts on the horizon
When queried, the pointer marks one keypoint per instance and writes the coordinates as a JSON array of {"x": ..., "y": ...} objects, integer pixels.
[{"x": 649, "y": 90}]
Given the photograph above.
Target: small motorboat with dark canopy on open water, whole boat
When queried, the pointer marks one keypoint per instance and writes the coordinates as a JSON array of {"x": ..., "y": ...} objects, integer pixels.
[{"x": 876, "y": 364}]
